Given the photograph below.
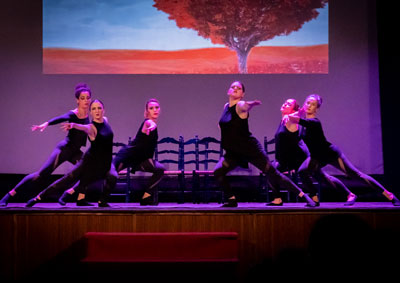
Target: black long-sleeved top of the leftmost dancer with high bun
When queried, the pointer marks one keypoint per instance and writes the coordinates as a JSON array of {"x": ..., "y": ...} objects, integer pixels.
[{"x": 75, "y": 138}]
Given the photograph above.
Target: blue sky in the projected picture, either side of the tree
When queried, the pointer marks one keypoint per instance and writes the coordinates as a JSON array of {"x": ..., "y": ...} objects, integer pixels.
[{"x": 128, "y": 24}]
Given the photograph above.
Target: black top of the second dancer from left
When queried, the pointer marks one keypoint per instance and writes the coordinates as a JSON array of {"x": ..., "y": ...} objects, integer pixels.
[{"x": 100, "y": 151}]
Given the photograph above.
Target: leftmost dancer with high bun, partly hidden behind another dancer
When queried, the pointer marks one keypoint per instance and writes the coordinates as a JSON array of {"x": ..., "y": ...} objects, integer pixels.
[{"x": 66, "y": 150}]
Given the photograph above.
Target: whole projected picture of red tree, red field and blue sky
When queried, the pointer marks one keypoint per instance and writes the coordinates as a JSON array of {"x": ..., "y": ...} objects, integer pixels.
[{"x": 185, "y": 37}]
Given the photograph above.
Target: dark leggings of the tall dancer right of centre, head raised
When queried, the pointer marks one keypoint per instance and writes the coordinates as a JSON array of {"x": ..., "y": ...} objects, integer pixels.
[{"x": 274, "y": 178}]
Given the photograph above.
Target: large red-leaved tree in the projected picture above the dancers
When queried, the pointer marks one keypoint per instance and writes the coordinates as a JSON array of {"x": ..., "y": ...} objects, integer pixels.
[{"x": 240, "y": 24}]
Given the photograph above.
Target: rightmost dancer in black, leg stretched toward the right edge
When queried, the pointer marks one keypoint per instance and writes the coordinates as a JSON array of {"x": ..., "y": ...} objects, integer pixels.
[{"x": 322, "y": 152}]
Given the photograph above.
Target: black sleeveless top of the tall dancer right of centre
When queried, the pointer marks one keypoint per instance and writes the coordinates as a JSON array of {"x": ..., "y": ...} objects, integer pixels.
[{"x": 236, "y": 139}]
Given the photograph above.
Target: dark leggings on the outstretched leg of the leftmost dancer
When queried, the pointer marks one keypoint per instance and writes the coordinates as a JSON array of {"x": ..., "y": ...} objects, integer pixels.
[{"x": 60, "y": 155}]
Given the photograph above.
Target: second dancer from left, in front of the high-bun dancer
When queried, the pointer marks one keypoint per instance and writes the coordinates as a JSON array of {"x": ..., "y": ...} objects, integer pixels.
[{"x": 95, "y": 163}]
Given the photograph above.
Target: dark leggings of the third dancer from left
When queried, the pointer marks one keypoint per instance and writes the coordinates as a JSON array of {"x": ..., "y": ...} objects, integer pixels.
[{"x": 148, "y": 165}]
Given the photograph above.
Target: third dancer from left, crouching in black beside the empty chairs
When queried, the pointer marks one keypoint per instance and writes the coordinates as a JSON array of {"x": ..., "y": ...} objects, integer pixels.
[{"x": 138, "y": 155}]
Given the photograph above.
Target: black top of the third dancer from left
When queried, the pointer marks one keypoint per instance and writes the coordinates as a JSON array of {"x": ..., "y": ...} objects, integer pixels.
[{"x": 143, "y": 146}]
